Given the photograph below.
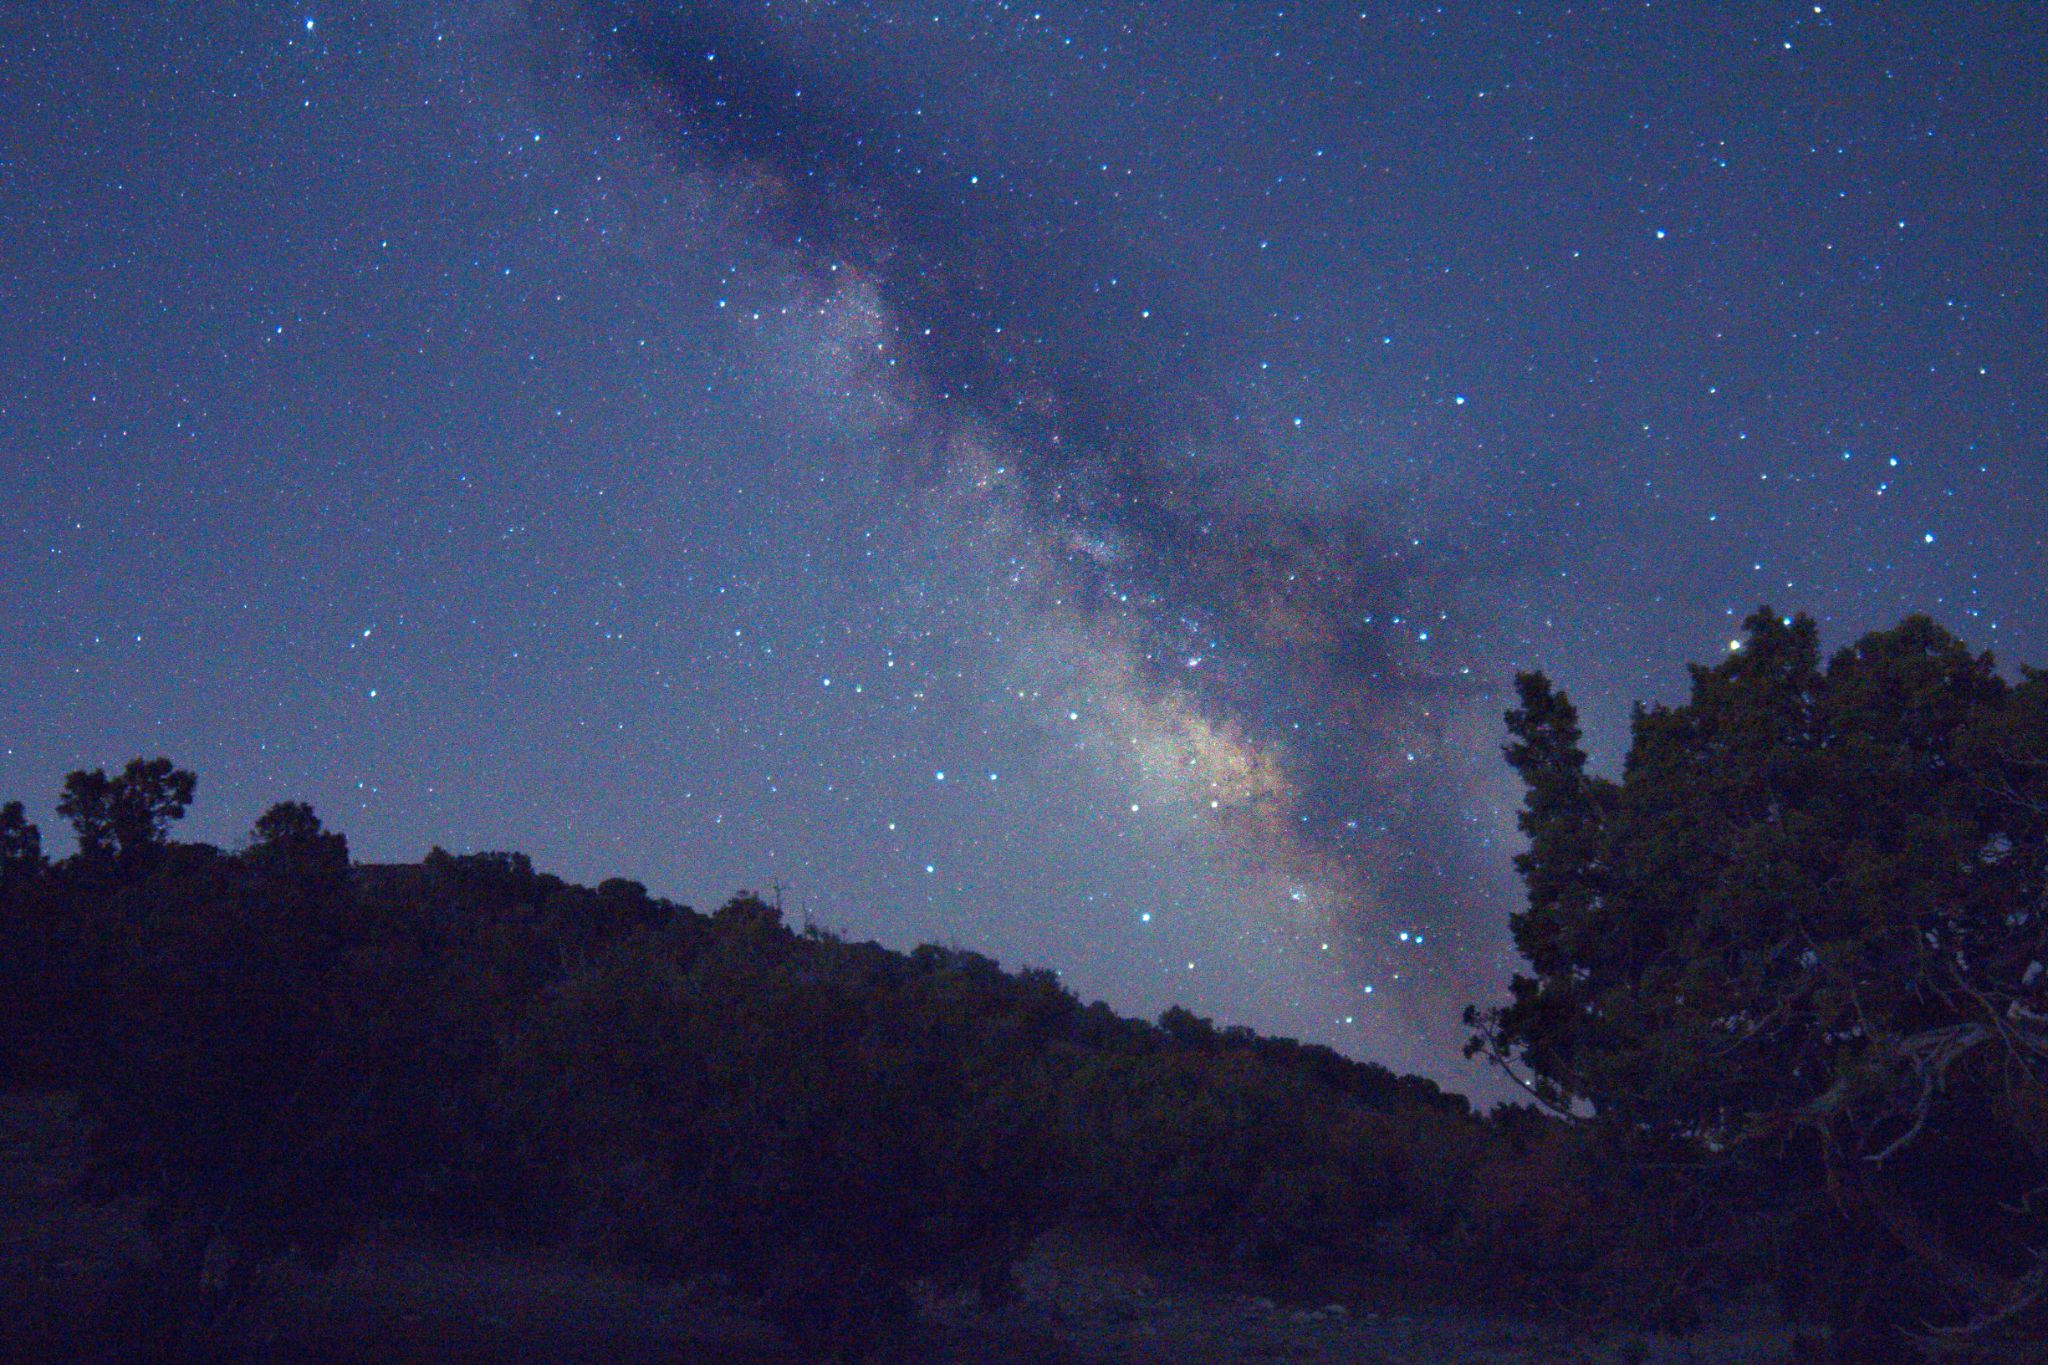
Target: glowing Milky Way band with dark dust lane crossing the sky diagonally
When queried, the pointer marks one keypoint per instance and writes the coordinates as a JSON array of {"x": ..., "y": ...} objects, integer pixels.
[{"x": 1273, "y": 666}]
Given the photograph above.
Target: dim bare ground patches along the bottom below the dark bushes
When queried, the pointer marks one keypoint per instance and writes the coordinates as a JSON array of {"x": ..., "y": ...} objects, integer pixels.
[{"x": 411, "y": 1294}]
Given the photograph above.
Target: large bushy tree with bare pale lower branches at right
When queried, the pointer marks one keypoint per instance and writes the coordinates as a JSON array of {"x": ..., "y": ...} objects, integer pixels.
[{"x": 1803, "y": 936}]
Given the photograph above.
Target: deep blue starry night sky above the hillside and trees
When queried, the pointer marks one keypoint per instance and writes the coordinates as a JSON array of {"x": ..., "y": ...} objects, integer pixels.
[{"x": 1062, "y": 480}]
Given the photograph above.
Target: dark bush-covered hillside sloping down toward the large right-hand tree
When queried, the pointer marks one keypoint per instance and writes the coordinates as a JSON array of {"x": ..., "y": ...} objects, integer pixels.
[{"x": 273, "y": 1047}]
